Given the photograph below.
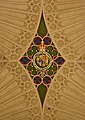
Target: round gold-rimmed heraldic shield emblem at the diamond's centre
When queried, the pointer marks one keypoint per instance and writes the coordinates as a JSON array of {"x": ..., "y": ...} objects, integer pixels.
[{"x": 42, "y": 60}]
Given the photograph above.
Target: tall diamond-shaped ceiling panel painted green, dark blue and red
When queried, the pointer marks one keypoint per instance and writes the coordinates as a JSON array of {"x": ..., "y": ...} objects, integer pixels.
[{"x": 42, "y": 60}]
